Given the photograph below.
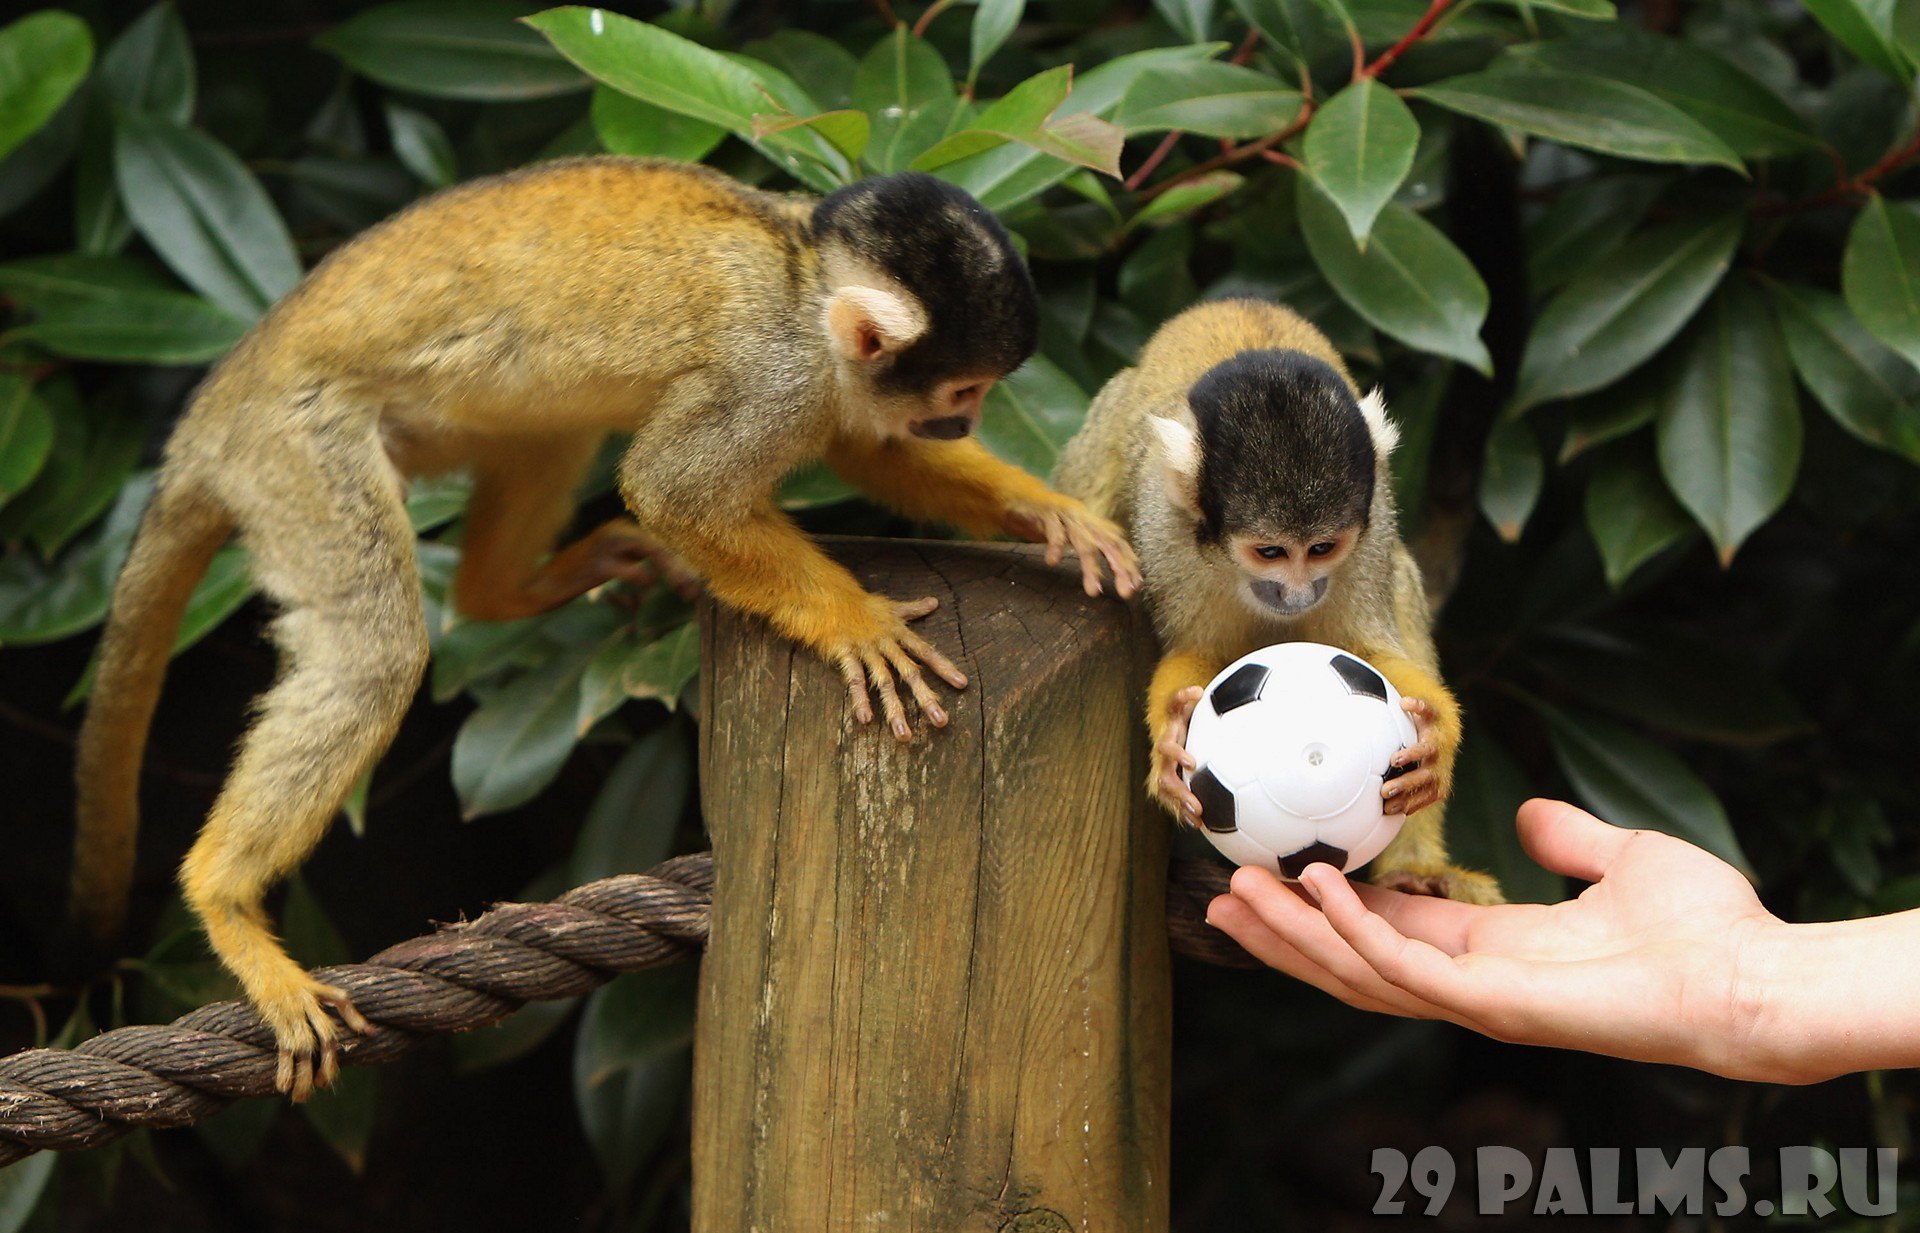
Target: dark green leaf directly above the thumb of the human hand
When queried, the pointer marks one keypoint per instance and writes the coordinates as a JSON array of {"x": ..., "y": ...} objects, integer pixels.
[{"x": 1629, "y": 781}]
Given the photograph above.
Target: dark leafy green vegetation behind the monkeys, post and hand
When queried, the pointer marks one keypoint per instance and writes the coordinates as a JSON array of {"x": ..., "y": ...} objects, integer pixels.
[{"x": 1641, "y": 287}]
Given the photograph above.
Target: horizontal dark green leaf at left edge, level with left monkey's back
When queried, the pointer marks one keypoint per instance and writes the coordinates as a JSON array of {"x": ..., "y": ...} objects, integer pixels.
[{"x": 116, "y": 310}]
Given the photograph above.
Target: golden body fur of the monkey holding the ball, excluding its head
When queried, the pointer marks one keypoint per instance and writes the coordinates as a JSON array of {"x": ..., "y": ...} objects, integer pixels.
[{"x": 1376, "y": 608}]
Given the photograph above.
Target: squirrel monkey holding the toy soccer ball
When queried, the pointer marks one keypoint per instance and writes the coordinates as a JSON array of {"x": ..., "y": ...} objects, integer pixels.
[{"x": 1255, "y": 483}]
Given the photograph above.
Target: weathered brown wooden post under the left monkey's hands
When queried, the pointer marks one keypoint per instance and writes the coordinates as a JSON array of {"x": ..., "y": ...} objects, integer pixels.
[{"x": 936, "y": 992}]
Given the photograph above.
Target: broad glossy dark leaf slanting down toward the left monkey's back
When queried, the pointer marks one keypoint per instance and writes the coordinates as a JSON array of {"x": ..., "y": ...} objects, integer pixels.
[{"x": 204, "y": 214}]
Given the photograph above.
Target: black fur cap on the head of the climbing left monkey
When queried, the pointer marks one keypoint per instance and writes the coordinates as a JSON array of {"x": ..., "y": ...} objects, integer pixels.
[{"x": 953, "y": 254}]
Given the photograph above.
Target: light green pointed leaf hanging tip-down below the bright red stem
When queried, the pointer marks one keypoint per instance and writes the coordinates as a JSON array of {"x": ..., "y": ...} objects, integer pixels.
[{"x": 1360, "y": 149}]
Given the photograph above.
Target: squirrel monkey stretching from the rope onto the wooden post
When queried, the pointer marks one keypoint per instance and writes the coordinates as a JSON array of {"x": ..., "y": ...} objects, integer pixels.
[{"x": 508, "y": 327}]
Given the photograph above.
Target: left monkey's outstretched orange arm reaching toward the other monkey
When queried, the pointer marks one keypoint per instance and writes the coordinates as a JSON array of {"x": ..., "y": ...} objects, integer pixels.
[{"x": 963, "y": 485}]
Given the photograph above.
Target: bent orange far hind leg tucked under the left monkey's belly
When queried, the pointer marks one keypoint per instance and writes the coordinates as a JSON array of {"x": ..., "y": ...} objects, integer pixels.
[{"x": 523, "y": 498}]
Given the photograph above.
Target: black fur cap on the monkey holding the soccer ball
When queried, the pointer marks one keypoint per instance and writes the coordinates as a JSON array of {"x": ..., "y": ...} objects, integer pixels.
[{"x": 1284, "y": 448}]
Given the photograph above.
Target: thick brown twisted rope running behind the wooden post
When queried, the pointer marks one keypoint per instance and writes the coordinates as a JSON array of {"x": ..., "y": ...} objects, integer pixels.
[{"x": 460, "y": 979}]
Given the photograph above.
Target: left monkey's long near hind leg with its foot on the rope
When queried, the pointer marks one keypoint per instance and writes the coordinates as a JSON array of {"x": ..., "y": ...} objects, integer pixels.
[{"x": 329, "y": 541}]
